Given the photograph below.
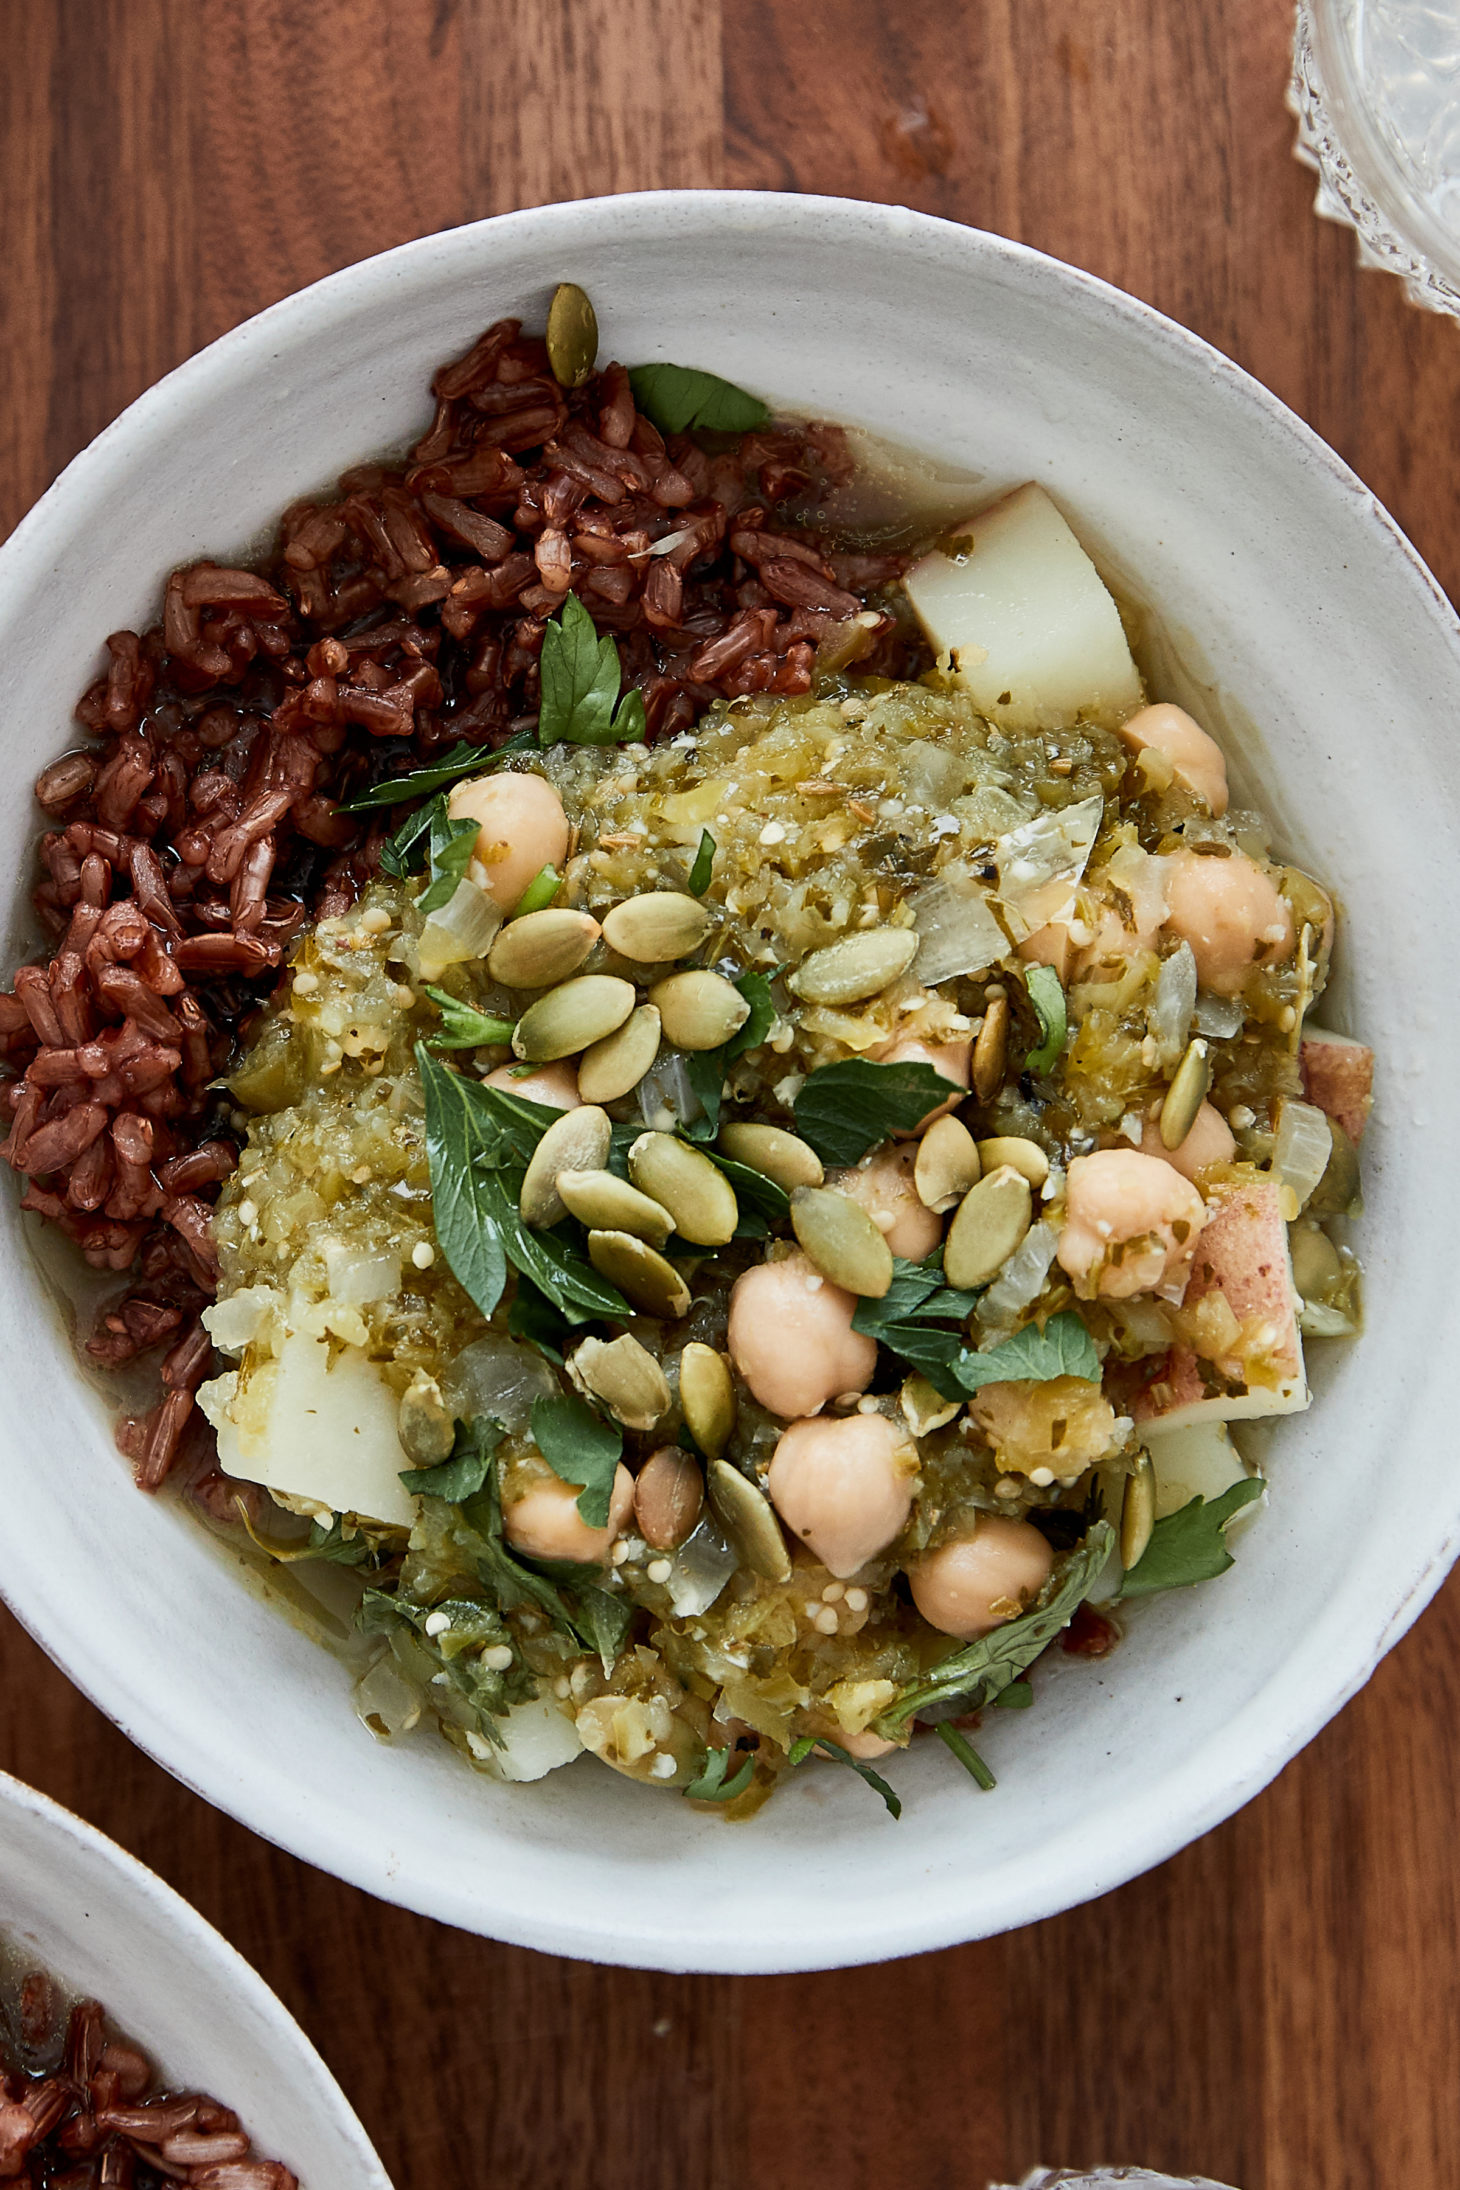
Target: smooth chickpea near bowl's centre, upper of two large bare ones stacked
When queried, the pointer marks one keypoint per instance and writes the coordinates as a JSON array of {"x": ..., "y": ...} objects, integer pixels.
[{"x": 791, "y": 1337}]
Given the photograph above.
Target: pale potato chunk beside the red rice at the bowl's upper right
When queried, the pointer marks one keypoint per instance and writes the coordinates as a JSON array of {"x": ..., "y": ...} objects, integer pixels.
[{"x": 1023, "y": 612}]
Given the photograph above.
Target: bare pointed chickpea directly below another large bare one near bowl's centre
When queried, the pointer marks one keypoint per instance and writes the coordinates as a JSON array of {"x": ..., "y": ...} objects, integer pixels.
[{"x": 844, "y": 1486}]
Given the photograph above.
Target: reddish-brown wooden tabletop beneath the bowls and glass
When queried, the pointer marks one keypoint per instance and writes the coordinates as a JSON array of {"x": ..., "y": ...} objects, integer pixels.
[{"x": 1282, "y": 2005}]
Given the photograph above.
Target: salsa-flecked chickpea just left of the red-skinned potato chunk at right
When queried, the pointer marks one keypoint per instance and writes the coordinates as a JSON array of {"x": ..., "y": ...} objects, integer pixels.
[{"x": 1131, "y": 1225}]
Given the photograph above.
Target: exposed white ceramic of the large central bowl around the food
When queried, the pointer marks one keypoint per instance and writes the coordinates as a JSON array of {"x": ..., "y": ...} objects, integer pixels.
[{"x": 1293, "y": 597}]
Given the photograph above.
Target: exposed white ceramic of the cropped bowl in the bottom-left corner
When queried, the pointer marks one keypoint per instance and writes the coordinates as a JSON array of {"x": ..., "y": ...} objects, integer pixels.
[{"x": 108, "y": 1928}]
